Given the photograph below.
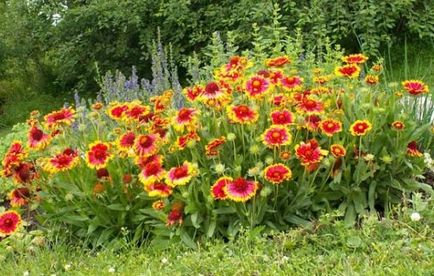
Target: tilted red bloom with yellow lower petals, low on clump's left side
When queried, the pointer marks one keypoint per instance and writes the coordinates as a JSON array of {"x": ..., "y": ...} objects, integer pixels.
[{"x": 64, "y": 161}]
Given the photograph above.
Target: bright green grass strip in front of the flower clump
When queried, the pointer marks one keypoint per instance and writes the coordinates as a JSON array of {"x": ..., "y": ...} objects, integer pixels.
[{"x": 386, "y": 247}]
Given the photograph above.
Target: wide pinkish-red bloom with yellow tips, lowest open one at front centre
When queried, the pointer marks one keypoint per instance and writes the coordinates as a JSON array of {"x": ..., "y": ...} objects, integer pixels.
[{"x": 241, "y": 189}]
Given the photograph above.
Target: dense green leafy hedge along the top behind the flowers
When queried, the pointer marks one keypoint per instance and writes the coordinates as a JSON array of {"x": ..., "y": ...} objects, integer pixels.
[{"x": 119, "y": 34}]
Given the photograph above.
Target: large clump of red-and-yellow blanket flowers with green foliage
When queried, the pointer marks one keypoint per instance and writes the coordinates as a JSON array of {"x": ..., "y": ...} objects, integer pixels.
[{"x": 270, "y": 142}]
